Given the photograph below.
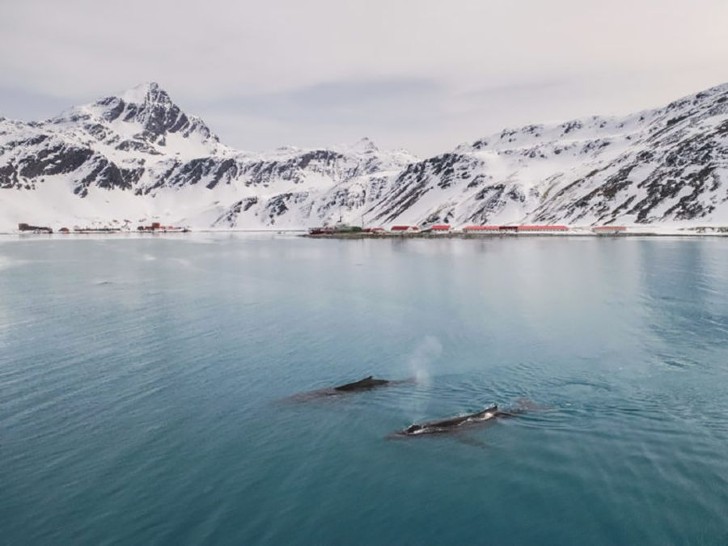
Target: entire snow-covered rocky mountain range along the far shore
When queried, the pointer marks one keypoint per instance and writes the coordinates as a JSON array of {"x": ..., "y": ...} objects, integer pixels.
[{"x": 137, "y": 157}]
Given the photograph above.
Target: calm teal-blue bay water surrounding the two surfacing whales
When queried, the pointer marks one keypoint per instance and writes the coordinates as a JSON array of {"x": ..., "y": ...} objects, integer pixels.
[{"x": 143, "y": 387}]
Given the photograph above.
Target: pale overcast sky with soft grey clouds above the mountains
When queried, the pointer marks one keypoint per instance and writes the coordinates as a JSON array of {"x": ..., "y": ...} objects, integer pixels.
[{"x": 425, "y": 75}]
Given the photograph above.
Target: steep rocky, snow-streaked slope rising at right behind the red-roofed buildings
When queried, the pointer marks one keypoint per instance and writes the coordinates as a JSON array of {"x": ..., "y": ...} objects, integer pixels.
[{"x": 665, "y": 165}]
